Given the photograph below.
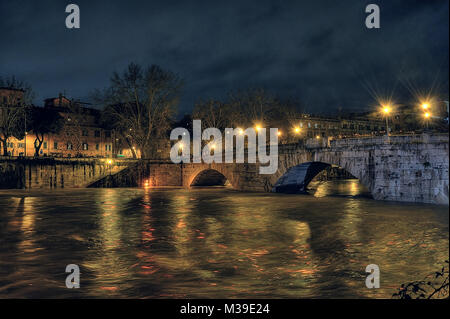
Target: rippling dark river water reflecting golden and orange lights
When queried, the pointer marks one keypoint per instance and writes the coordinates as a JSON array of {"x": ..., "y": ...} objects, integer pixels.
[{"x": 215, "y": 243}]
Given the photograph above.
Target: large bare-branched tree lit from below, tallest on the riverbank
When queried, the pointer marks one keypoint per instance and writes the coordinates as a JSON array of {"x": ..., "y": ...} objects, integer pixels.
[{"x": 139, "y": 105}]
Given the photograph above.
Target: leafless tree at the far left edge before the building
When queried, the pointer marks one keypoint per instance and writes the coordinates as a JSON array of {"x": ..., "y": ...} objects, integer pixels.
[{"x": 13, "y": 106}]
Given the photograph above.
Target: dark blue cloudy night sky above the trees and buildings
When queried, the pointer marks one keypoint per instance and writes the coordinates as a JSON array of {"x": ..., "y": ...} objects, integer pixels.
[{"x": 319, "y": 52}]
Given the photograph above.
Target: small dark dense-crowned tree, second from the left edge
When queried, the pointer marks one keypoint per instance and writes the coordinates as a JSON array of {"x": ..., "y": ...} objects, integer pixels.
[{"x": 44, "y": 121}]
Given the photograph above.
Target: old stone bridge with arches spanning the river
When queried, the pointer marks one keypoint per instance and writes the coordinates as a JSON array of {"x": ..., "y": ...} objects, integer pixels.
[{"x": 398, "y": 168}]
